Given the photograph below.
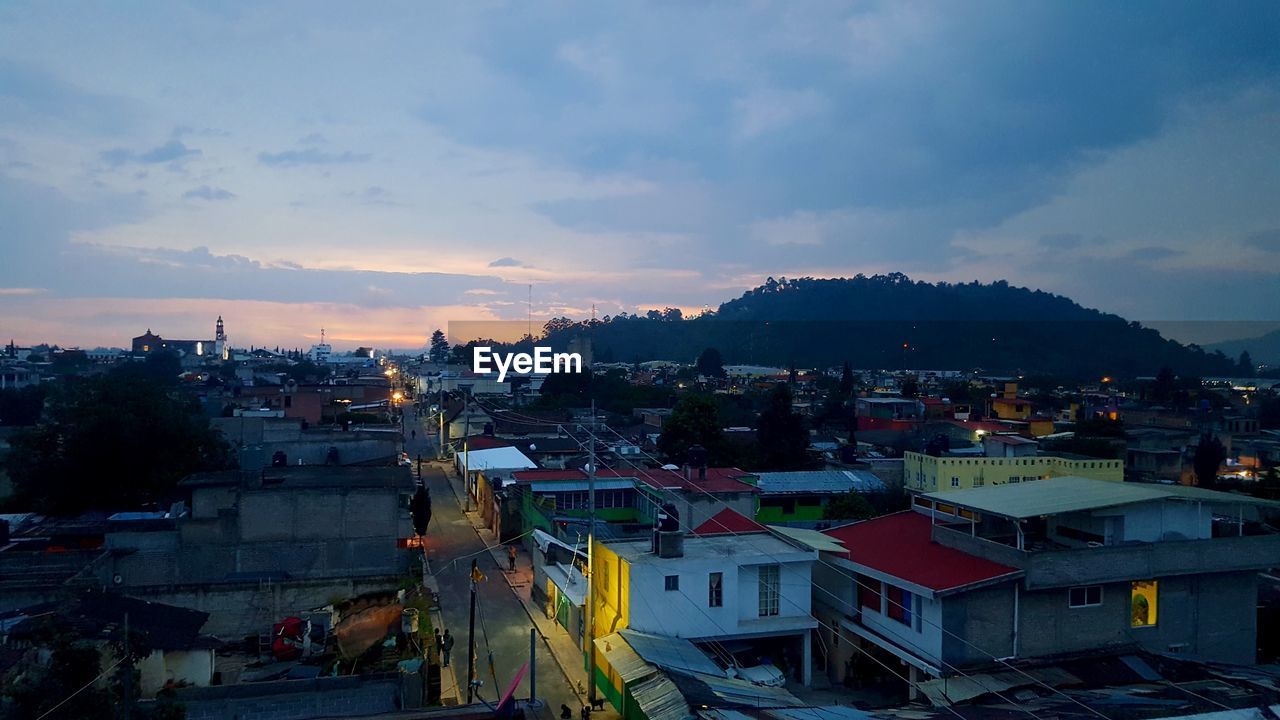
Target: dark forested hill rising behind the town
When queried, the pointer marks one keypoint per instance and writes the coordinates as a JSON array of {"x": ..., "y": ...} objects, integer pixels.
[{"x": 893, "y": 322}]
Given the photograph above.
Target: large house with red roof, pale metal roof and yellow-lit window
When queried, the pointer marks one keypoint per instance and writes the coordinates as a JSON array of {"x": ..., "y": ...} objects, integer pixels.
[{"x": 1045, "y": 569}]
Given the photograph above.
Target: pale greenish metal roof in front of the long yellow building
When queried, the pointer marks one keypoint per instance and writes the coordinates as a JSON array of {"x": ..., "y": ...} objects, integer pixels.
[{"x": 1072, "y": 494}]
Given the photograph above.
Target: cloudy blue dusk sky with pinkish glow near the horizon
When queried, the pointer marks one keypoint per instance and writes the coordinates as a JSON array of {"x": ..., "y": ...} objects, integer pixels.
[{"x": 382, "y": 170}]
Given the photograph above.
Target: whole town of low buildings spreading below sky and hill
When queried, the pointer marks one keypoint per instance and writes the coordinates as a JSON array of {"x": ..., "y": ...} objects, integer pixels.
[{"x": 367, "y": 534}]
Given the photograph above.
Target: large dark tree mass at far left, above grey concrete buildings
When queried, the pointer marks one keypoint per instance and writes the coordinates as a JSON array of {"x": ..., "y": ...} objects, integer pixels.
[{"x": 111, "y": 443}]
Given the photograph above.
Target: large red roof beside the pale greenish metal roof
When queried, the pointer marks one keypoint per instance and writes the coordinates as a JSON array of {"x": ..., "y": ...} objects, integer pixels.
[{"x": 902, "y": 545}]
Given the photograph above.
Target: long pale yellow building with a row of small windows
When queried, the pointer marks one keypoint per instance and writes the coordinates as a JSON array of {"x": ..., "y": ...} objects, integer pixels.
[{"x": 929, "y": 473}]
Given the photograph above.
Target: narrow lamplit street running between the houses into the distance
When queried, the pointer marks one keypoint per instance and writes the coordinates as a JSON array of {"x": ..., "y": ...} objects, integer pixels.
[{"x": 502, "y": 622}]
